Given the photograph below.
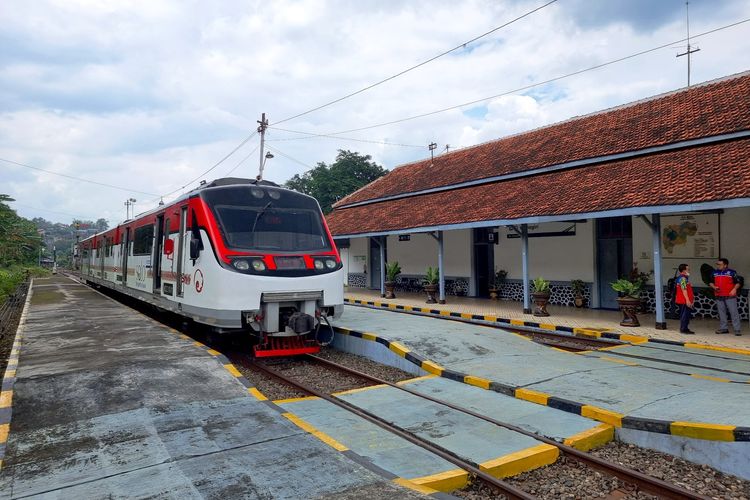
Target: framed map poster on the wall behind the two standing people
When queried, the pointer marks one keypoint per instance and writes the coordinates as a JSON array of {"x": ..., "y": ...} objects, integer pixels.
[{"x": 694, "y": 236}]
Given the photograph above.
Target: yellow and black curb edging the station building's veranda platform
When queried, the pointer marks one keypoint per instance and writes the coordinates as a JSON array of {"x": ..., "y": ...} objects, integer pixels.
[{"x": 597, "y": 333}]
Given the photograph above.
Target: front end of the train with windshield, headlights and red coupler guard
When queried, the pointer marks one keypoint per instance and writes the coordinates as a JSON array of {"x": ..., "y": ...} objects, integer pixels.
[{"x": 276, "y": 243}]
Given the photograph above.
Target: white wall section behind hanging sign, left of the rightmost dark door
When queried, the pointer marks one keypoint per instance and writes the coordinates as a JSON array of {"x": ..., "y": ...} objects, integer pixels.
[{"x": 554, "y": 258}]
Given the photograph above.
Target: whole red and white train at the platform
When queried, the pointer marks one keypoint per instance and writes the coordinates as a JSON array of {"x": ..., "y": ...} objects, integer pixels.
[{"x": 233, "y": 254}]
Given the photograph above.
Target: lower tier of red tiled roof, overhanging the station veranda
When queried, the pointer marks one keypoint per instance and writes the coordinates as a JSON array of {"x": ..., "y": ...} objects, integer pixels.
[{"x": 719, "y": 171}]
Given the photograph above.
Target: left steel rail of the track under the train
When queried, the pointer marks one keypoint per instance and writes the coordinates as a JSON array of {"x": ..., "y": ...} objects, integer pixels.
[{"x": 507, "y": 489}]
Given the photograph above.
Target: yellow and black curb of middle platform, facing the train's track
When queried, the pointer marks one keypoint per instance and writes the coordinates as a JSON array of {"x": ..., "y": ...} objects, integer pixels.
[{"x": 697, "y": 430}]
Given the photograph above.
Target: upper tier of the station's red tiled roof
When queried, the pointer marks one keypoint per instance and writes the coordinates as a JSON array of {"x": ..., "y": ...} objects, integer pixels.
[{"x": 702, "y": 111}]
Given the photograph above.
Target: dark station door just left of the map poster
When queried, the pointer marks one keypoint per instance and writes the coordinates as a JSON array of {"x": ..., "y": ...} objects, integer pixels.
[{"x": 614, "y": 244}]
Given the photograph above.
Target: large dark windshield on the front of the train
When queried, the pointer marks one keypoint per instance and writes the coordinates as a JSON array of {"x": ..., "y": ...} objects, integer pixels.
[{"x": 268, "y": 219}]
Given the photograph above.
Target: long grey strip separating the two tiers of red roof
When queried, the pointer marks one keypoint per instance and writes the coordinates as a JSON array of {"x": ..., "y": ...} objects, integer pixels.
[{"x": 703, "y": 141}]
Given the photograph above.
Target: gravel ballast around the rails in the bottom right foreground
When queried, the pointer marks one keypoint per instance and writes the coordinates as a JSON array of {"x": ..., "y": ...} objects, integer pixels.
[{"x": 570, "y": 479}]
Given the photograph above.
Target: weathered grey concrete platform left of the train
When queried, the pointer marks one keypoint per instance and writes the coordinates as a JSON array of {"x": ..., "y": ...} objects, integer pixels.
[{"x": 103, "y": 402}]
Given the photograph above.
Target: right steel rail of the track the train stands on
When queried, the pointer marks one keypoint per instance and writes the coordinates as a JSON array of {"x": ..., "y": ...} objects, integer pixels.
[{"x": 642, "y": 481}]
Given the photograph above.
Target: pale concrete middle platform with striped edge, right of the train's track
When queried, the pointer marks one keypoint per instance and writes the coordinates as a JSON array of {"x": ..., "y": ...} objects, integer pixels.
[{"x": 697, "y": 415}]
